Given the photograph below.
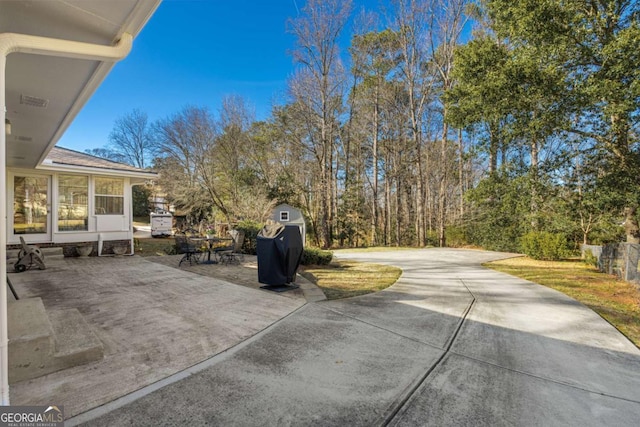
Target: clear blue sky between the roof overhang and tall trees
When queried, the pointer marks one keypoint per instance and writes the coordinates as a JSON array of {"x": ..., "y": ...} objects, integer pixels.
[{"x": 194, "y": 52}]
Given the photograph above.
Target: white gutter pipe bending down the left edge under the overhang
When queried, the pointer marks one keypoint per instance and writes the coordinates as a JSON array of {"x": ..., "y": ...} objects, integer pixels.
[{"x": 24, "y": 43}]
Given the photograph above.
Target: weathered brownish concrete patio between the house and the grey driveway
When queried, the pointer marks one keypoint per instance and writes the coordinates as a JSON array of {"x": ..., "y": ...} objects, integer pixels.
[{"x": 153, "y": 319}]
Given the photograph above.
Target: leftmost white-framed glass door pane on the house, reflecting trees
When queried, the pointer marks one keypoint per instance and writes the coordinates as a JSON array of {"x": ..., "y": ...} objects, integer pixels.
[{"x": 31, "y": 208}]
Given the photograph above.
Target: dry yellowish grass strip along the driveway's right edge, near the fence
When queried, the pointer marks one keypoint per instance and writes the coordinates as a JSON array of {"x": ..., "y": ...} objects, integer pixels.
[{"x": 615, "y": 300}]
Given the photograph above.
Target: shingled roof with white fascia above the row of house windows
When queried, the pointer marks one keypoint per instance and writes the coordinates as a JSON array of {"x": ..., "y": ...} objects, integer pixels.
[{"x": 70, "y": 159}]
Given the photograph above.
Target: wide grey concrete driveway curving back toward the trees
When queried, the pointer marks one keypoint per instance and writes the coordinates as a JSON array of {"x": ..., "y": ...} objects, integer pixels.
[{"x": 450, "y": 344}]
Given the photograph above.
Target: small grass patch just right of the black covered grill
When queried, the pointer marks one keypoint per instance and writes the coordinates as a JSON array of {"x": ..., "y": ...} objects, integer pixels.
[{"x": 344, "y": 279}]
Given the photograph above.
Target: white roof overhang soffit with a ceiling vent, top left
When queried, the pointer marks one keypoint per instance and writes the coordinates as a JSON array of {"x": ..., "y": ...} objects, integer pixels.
[{"x": 45, "y": 93}]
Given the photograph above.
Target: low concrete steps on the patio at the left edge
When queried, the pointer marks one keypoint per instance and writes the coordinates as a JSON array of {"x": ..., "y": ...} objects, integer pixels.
[{"x": 42, "y": 342}]
